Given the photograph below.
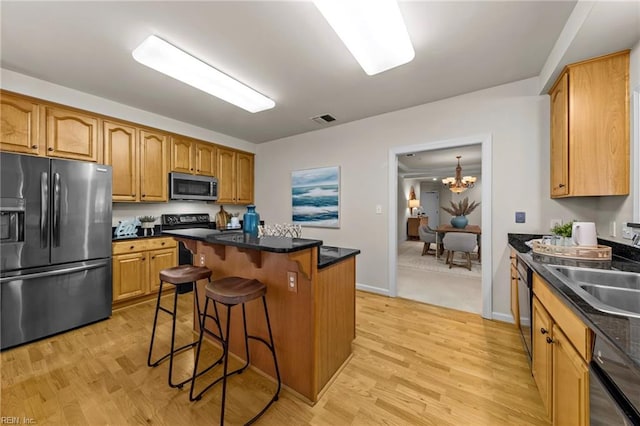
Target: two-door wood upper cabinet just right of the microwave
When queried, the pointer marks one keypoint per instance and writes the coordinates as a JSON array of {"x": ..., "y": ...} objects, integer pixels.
[{"x": 235, "y": 177}]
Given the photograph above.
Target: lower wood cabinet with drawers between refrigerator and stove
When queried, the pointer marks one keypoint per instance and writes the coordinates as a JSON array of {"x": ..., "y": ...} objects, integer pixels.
[{"x": 137, "y": 265}]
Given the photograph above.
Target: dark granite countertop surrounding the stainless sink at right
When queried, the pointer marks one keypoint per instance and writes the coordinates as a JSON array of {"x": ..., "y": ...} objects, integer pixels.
[{"x": 622, "y": 332}]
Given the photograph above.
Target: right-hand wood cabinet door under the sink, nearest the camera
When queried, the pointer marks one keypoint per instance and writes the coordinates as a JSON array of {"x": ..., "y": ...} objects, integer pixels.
[{"x": 570, "y": 383}]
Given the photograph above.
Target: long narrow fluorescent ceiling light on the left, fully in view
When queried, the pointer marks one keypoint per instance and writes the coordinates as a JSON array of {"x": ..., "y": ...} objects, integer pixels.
[{"x": 168, "y": 59}]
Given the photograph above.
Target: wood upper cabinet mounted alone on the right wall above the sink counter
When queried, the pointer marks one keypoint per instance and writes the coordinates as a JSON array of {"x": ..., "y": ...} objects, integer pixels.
[{"x": 590, "y": 128}]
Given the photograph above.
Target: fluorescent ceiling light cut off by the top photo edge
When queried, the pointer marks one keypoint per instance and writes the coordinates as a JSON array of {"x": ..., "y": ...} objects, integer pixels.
[{"x": 373, "y": 31}]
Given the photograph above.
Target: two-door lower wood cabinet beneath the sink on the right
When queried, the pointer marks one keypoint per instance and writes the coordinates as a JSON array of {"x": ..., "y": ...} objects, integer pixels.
[{"x": 562, "y": 346}]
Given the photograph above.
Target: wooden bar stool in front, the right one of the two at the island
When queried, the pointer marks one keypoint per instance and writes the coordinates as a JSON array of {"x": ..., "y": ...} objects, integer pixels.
[{"x": 232, "y": 291}]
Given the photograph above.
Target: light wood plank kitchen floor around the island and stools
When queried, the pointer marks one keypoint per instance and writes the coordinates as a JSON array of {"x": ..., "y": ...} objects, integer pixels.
[{"x": 413, "y": 364}]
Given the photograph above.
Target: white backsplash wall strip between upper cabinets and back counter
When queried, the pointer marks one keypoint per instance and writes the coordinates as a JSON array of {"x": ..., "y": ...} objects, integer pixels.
[{"x": 122, "y": 211}]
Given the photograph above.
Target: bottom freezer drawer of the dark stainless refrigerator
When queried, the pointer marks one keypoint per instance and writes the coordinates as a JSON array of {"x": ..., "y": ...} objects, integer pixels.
[{"x": 50, "y": 300}]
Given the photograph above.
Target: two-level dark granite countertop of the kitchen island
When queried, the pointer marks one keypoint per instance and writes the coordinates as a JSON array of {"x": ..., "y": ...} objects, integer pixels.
[{"x": 326, "y": 255}]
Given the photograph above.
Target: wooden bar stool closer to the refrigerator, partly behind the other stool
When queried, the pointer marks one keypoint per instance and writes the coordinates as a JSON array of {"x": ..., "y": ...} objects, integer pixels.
[{"x": 179, "y": 276}]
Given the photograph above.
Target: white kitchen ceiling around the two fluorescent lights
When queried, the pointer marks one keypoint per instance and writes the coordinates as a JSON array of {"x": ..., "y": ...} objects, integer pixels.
[{"x": 283, "y": 49}]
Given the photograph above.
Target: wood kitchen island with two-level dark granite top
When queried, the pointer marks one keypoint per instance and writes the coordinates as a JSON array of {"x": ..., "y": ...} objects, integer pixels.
[{"x": 310, "y": 295}]
